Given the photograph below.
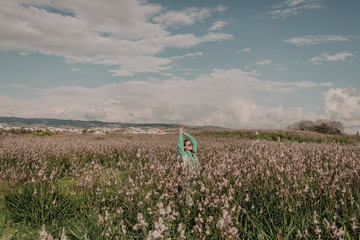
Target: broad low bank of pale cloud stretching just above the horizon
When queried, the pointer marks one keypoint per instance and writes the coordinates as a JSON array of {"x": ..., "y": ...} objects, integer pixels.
[{"x": 220, "y": 98}]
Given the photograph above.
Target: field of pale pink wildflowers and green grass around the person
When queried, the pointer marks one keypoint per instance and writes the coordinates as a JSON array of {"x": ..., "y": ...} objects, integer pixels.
[{"x": 128, "y": 186}]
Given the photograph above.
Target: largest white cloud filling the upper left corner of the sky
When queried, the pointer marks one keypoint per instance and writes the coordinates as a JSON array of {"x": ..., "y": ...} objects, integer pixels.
[{"x": 119, "y": 33}]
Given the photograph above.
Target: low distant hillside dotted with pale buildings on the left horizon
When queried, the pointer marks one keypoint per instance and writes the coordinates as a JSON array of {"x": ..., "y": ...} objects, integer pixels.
[{"x": 61, "y": 123}]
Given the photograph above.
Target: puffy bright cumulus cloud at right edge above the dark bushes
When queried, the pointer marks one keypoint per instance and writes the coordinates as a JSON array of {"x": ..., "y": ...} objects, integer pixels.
[{"x": 342, "y": 105}]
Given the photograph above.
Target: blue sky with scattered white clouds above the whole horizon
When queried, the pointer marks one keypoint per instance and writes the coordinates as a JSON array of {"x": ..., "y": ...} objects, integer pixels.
[{"x": 238, "y": 64}]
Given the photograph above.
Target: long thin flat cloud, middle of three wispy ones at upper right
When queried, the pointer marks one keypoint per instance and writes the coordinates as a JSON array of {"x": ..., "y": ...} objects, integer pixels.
[{"x": 316, "y": 40}]
